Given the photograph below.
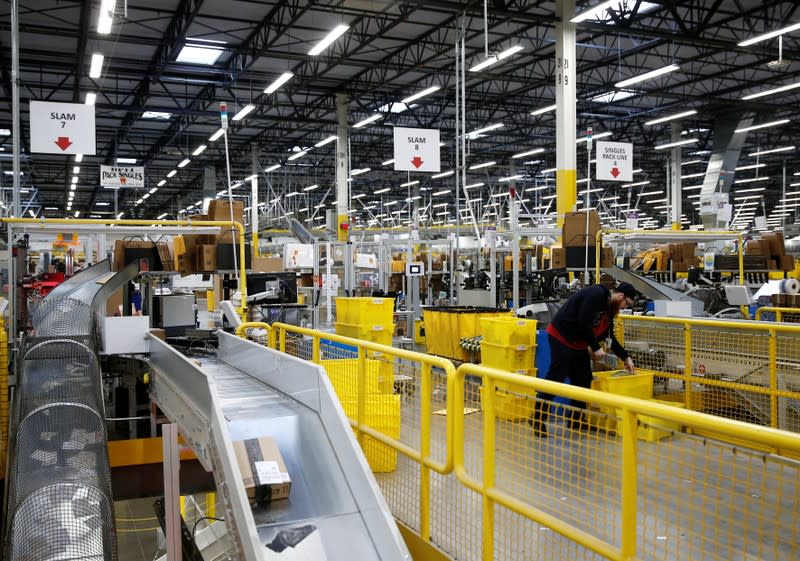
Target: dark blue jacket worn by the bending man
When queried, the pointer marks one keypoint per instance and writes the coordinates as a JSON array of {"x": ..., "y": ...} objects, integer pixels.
[{"x": 585, "y": 319}]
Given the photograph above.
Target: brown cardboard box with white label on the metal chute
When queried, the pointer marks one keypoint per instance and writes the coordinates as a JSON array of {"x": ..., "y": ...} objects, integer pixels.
[{"x": 263, "y": 471}]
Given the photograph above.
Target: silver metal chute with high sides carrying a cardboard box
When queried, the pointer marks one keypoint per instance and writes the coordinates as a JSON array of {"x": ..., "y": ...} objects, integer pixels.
[{"x": 250, "y": 391}]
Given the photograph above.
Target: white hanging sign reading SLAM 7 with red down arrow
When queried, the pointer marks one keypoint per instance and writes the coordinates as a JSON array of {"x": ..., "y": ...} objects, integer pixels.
[{"x": 62, "y": 128}]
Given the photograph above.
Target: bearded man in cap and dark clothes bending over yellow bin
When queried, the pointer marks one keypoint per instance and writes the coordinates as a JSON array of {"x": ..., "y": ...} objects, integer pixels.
[{"x": 574, "y": 335}]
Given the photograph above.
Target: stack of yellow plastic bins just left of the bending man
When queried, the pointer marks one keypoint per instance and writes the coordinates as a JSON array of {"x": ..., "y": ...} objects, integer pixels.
[{"x": 509, "y": 343}]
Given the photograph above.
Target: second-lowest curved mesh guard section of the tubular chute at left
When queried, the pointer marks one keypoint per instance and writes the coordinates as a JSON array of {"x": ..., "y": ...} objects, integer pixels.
[{"x": 59, "y": 442}]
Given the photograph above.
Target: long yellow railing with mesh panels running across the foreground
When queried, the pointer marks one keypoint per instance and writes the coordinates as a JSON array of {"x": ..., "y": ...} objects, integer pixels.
[{"x": 497, "y": 491}]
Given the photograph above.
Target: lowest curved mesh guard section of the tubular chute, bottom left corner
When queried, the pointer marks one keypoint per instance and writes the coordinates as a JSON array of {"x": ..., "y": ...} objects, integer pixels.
[{"x": 65, "y": 521}]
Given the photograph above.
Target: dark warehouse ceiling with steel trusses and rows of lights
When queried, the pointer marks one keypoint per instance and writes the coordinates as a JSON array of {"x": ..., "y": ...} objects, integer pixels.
[{"x": 152, "y": 108}]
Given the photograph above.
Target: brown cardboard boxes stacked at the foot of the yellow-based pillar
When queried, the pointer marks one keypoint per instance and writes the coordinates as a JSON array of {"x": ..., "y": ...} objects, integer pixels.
[{"x": 575, "y": 236}]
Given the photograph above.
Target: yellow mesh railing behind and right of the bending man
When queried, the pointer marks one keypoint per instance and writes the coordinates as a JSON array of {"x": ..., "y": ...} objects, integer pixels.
[{"x": 745, "y": 370}]
